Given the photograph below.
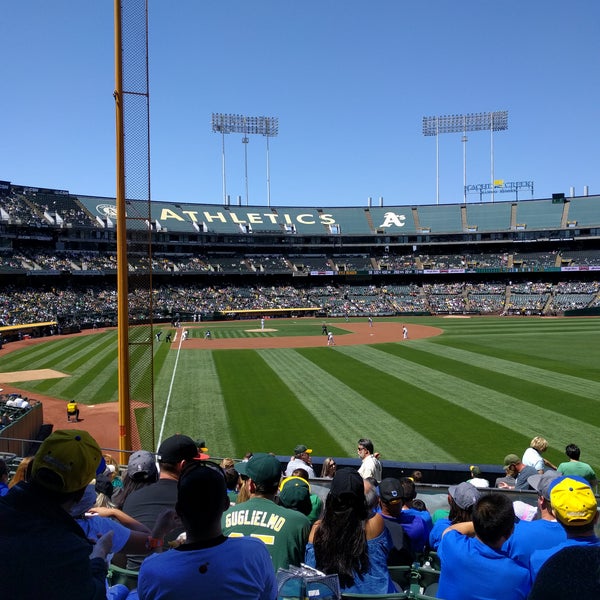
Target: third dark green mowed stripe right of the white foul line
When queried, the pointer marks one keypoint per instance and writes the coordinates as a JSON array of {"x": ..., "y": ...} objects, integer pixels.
[{"x": 529, "y": 389}]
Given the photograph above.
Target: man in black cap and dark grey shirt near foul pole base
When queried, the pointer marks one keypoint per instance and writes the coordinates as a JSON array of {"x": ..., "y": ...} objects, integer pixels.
[{"x": 146, "y": 504}]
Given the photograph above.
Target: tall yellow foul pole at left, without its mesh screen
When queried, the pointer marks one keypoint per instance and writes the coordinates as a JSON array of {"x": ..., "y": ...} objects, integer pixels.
[{"x": 122, "y": 272}]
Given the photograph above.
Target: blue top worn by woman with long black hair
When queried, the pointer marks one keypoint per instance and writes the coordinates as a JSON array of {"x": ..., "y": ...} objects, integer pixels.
[{"x": 377, "y": 579}]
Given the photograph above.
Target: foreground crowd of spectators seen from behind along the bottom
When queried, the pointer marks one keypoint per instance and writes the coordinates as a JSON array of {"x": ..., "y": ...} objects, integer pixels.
[{"x": 134, "y": 532}]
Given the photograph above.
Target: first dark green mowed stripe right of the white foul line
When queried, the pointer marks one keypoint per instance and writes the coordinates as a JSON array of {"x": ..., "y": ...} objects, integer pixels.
[{"x": 264, "y": 414}]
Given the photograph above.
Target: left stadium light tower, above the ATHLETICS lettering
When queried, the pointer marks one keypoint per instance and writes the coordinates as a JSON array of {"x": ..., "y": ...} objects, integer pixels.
[{"x": 267, "y": 126}]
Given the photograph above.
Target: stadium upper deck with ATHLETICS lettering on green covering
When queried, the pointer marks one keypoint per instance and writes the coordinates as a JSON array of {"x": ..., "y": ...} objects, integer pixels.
[{"x": 573, "y": 217}]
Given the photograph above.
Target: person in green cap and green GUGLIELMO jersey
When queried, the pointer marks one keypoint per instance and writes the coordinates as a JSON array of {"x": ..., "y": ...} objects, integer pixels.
[{"x": 284, "y": 530}]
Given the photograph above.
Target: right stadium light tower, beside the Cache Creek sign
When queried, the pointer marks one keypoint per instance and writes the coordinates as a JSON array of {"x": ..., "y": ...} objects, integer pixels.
[{"x": 492, "y": 121}]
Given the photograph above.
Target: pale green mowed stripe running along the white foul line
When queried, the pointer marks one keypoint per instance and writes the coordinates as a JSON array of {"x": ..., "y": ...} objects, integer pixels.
[{"x": 196, "y": 406}]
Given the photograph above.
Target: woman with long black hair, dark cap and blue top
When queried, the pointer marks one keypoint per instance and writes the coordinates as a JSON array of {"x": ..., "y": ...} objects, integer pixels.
[{"x": 347, "y": 542}]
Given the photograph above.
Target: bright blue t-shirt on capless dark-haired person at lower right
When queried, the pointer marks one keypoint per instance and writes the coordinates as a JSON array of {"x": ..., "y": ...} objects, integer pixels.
[{"x": 473, "y": 571}]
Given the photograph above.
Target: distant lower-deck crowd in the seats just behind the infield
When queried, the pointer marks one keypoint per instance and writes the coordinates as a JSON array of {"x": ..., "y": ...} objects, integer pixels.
[{"x": 98, "y": 303}]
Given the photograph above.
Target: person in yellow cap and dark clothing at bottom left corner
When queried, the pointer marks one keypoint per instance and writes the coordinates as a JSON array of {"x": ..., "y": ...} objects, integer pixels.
[{"x": 36, "y": 524}]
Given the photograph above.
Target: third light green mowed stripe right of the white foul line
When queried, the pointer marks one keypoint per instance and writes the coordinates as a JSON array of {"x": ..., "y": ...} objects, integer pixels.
[{"x": 522, "y": 417}]
